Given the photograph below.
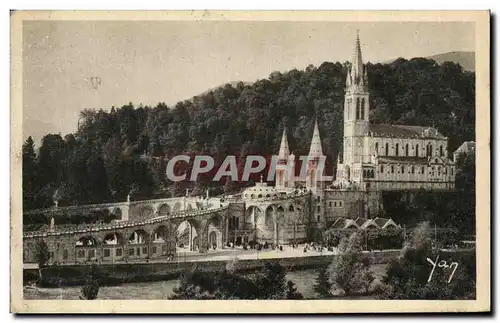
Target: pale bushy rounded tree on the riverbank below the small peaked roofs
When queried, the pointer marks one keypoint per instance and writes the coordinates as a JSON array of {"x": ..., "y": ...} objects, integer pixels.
[{"x": 347, "y": 270}]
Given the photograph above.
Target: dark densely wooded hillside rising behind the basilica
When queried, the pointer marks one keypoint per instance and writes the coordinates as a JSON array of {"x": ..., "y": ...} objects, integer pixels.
[{"x": 102, "y": 160}]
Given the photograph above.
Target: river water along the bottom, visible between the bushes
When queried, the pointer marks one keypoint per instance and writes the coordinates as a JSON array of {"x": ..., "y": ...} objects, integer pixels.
[{"x": 303, "y": 279}]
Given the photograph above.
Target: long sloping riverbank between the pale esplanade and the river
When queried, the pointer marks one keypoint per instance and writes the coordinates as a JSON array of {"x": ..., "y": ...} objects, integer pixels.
[{"x": 120, "y": 273}]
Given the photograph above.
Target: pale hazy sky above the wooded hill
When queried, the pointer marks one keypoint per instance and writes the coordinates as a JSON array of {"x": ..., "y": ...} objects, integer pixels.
[{"x": 72, "y": 65}]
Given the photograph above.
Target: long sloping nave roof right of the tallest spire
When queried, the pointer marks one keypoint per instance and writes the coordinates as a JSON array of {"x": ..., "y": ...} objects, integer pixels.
[{"x": 403, "y": 131}]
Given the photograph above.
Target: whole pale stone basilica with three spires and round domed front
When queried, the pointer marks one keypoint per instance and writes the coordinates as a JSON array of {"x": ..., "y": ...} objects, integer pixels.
[{"x": 375, "y": 158}]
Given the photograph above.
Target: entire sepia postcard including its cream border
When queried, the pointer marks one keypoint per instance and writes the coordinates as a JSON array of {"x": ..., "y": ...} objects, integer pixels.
[{"x": 257, "y": 156}]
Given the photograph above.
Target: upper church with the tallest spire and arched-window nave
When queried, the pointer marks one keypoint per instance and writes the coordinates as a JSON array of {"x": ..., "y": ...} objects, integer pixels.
[{"x": 387, "y": 156}]
